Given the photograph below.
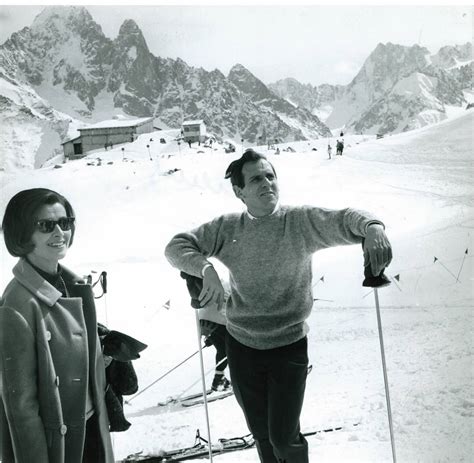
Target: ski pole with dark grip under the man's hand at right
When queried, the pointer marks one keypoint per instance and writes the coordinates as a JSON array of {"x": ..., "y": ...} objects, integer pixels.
[{"x": 376, "y": 282}]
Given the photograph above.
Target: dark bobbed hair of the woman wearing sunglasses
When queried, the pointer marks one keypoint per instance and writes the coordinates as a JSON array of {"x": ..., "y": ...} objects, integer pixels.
[{"x": 20, "y": 216}]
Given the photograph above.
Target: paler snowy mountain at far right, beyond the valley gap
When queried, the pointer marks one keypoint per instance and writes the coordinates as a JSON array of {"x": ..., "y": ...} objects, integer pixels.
[{"x": 401, "y": 88}]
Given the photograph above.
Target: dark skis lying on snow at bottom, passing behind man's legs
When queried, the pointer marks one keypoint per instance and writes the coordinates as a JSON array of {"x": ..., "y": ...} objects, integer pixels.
[{"x": 201, "y": 449}]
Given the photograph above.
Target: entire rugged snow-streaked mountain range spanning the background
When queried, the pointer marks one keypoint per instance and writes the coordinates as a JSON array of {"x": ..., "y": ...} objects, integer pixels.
[{"x": 63, "y": 72}]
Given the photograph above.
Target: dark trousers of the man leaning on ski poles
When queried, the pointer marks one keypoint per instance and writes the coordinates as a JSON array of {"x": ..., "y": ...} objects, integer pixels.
[{"x": 269, "y": 386}]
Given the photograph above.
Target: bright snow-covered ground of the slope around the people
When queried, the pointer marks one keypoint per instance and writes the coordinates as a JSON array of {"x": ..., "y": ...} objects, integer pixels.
[{"x": 419, "y": 183}]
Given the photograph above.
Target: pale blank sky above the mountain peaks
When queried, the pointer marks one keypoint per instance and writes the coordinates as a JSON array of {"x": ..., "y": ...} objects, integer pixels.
[{"x": 312, "y": 43}]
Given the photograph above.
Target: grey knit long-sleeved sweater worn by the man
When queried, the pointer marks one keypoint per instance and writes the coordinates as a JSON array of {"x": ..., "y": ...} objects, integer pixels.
[{"x": 269, "y": 261}]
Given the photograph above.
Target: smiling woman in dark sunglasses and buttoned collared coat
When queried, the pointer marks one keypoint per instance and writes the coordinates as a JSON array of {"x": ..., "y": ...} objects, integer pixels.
[{"x": 52, "y": 406}]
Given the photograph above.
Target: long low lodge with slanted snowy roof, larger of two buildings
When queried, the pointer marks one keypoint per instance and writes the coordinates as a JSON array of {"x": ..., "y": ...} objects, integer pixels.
[{"x": 106, "y": 134}]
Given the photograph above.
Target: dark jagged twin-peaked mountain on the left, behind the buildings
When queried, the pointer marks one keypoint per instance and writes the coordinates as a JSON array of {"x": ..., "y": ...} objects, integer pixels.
[{"x": 65, "y": 59}]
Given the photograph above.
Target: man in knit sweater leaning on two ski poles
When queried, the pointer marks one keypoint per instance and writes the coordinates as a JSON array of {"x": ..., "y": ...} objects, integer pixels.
[{"x": 268, "y": 251}]
